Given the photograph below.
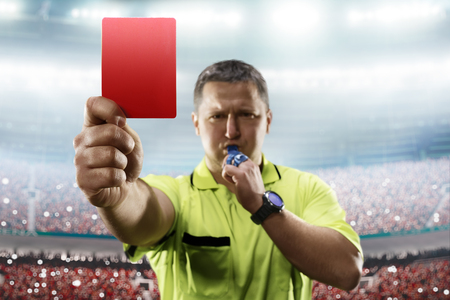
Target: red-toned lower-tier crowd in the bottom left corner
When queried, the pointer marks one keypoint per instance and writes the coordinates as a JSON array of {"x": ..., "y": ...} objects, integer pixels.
[{"x": 36, "y": 277}]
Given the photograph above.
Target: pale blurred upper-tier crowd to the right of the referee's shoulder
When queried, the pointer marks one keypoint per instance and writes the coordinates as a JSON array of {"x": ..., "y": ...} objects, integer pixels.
[{"x": 392, "y": 197}]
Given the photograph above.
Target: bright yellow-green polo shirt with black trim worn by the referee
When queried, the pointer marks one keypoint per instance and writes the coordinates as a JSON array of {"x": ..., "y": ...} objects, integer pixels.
[{"x": 215, "y": 251}]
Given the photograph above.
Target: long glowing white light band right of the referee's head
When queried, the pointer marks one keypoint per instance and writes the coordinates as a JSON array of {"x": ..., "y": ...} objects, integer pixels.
[{"x": 387, "y": 76}]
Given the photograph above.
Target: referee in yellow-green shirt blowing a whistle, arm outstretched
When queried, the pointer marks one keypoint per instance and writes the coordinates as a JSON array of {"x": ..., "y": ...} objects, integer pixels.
[{"x": 239, "y": 227}]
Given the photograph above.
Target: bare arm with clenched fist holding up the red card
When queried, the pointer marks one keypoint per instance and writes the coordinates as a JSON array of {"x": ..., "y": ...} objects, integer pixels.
[{"x": 108, "y": 161}]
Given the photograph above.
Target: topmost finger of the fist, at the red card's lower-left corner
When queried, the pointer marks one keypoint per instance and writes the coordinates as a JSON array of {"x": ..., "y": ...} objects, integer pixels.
[{"x": 100, "y": 110}]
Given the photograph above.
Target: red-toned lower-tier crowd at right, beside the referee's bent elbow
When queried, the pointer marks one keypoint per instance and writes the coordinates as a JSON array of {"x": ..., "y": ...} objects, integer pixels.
[{"x": 423, "y": 276}]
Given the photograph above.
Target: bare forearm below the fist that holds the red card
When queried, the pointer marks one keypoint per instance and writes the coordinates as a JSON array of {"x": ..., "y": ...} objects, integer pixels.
[{"x": 139, "y": 219}]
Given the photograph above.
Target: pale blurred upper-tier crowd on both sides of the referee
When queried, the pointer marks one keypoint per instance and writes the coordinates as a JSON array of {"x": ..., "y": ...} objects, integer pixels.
[{"x": 388, "y": 198}]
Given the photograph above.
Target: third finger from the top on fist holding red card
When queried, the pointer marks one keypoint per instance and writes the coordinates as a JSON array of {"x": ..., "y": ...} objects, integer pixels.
[{"x": 100, "y": 157}]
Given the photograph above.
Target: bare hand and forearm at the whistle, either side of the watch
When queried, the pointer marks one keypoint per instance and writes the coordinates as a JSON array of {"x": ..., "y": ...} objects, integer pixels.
[{"x": 320, "y": 253}]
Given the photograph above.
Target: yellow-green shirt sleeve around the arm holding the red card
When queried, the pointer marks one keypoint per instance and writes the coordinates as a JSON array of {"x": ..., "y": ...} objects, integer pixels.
[{"x": 169, "y": 186}]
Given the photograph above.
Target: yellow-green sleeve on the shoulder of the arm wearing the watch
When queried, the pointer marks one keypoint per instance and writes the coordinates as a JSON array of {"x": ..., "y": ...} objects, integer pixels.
[{"x": 321, "y": 208}]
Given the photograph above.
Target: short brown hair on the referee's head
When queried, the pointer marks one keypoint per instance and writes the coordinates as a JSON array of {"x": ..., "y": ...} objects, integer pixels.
[{"x": 230, "y": 71}]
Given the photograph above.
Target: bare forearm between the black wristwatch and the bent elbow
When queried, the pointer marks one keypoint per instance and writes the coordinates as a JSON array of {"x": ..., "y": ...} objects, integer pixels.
[{"x": 320, "y": 253}]
